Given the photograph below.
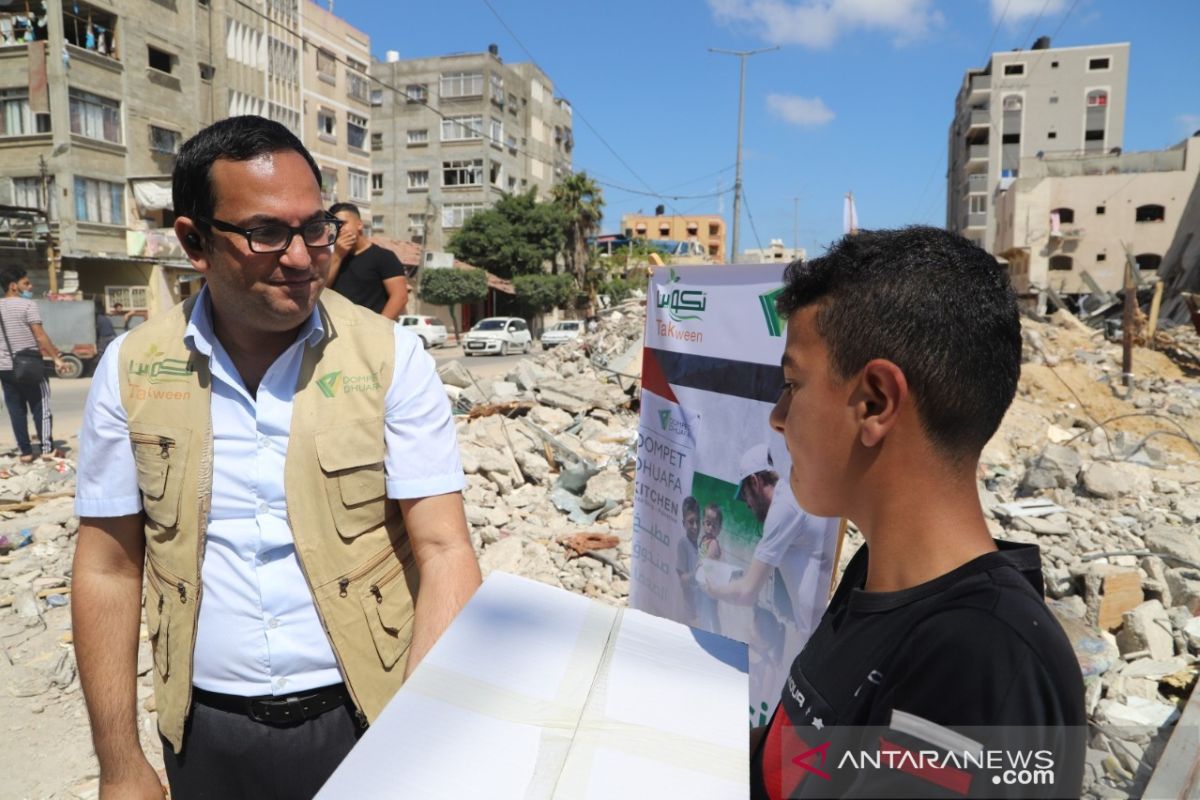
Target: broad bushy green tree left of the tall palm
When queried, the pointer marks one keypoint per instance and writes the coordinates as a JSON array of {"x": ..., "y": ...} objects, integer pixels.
[{"x": 517, "y": 237}]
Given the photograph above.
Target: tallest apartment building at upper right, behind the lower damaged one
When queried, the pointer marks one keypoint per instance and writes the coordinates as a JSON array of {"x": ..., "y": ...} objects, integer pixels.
[{"x": 1024, "y": 103}]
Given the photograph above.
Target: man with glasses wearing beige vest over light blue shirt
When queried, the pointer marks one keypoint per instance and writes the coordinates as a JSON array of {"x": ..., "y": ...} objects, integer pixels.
[{"x": 279, "y": 467}]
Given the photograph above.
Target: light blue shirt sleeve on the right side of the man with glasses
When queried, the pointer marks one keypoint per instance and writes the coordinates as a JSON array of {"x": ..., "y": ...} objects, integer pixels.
[{"x": 423, "y": 447}]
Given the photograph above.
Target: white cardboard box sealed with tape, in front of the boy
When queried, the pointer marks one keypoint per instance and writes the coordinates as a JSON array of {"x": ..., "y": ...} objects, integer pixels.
[{"x": 536, "y": 693}]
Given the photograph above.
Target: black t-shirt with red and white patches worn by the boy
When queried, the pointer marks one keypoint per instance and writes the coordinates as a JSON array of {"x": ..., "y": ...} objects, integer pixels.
[{"x": 970, "y": 663}]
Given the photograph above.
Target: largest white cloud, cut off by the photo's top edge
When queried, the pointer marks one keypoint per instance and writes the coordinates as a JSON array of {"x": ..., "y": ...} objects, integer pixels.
[{"x": 818, "y": 25}]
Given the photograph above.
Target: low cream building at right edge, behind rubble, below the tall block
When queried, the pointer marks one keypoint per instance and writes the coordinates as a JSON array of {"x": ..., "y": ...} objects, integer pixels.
[{"x": 1065, "y": 224}]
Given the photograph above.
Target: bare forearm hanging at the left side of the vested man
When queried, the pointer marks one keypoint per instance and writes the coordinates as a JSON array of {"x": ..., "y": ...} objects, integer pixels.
[{"x": 106, "y": 616}]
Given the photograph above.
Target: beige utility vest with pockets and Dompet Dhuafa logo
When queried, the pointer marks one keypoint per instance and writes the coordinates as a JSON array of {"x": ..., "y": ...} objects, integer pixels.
[{"x": 350, "y": 538}]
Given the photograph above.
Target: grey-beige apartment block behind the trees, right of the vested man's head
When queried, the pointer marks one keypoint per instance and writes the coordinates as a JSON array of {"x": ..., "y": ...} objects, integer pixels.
[{"x": 452, "y": 135}]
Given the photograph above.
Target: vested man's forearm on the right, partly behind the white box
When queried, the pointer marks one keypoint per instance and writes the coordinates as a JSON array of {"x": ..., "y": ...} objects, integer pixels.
[{"x": 447, "y": 582}]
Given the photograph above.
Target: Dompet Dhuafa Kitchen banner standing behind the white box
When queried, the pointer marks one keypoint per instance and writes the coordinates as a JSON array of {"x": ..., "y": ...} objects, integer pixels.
[{"x": 721, "y": 543}]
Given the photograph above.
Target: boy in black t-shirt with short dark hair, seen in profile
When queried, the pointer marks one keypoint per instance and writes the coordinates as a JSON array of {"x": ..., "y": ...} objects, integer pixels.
[{"x": 938, "y": 670}]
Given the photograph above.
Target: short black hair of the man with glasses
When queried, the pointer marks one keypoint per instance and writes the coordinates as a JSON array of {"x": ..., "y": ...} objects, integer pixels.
[{"x": 237, "y": 139}]
